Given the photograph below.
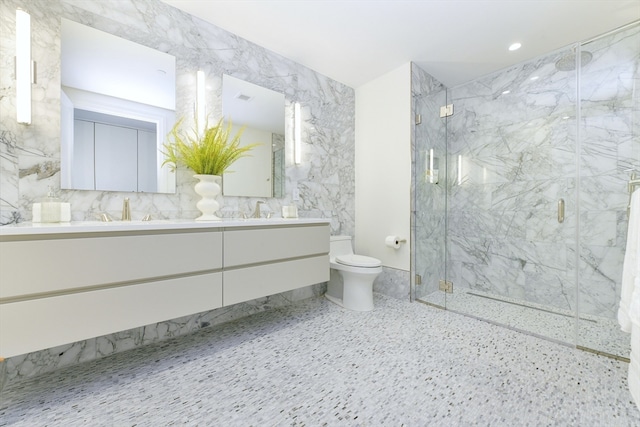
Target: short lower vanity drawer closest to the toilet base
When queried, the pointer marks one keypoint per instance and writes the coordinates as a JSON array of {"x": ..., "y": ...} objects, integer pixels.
[{"x": 249, "y": 283}]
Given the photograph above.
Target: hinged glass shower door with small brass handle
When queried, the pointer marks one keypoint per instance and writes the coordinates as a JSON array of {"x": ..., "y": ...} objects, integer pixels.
[{"x": 511, "y": 236}]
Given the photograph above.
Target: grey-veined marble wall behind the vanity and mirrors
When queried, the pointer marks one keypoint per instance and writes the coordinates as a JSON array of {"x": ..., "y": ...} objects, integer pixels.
[{"x": 30, "y": 155}]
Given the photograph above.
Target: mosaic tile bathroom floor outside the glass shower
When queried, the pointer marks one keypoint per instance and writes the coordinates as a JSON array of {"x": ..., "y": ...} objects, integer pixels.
[{"x": 313, "y": 363}]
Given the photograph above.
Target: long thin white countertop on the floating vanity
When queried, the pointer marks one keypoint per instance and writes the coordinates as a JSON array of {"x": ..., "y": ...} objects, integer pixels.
[{"x": 28, "y": 228}]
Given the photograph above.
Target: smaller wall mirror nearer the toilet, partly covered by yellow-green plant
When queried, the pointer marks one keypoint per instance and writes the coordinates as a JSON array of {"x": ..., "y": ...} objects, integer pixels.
[{"x": 261, "y": 112}]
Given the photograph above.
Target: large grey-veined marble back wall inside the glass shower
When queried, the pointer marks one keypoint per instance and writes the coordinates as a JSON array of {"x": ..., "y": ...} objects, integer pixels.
[{"x": 515, "y": 137}]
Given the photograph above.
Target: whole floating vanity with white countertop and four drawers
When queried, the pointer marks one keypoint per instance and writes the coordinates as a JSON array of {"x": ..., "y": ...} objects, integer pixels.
[{"x": 61, "y": 283}]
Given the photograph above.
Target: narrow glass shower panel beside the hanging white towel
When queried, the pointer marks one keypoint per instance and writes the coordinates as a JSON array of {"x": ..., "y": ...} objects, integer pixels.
[{"x": 609, "y": 154}]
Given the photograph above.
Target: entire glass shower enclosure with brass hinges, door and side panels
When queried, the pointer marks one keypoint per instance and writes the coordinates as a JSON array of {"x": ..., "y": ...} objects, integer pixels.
[{"x": 520, "y": 191}]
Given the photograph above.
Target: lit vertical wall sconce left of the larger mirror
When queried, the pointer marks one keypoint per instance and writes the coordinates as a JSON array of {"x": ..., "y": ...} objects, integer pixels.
[{"x": 25, "y": 71}]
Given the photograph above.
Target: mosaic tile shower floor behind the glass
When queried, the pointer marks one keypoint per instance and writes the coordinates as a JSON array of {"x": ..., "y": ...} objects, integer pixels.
[{"x": 594, "y": 332}]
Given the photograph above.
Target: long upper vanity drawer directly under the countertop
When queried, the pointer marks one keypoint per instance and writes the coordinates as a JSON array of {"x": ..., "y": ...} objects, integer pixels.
[{"x": 39, "y": 267}]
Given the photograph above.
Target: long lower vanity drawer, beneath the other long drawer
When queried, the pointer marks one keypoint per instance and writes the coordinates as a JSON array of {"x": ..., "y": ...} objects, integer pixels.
[{"x": 32, "y": 325}]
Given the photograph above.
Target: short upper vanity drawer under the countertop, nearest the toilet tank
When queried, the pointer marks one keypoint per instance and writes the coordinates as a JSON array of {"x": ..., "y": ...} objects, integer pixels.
[{"x": 252, "y": 246}]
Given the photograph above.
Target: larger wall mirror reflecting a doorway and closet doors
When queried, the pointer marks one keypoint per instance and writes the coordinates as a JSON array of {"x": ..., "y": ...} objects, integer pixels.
[{"x": 117, "y": 105}]
